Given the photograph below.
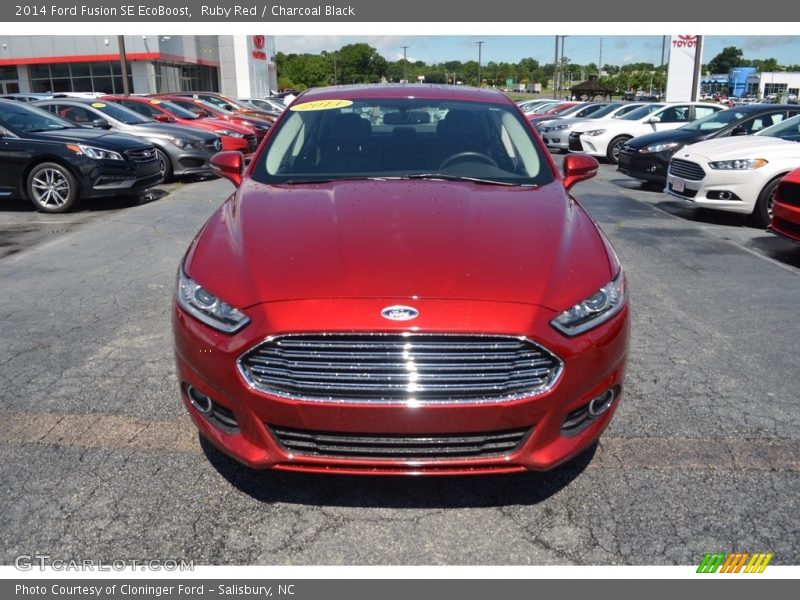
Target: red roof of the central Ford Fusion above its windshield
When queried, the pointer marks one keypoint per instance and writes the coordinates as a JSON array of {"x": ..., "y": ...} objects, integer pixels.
[{"x": 404, "y": 90}]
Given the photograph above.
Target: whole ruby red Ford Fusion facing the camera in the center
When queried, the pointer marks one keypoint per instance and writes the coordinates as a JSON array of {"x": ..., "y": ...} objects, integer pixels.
[{"x": 401, "y": 284}]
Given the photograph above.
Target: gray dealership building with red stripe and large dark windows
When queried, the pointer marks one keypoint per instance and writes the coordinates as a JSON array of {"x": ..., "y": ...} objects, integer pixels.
[{"x": 236, "y": 65}]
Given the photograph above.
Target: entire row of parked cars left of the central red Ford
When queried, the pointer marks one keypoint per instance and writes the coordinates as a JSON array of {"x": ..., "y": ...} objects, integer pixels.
[{"x": 136, "y": 141}]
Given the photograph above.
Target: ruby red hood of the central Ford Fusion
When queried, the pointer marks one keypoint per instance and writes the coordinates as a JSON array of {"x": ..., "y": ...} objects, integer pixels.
[{"x": 401, "y": 240}]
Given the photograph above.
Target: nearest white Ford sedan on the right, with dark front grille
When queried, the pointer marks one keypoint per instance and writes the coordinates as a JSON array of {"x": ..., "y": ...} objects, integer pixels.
[{"x": 737, "y": 174}]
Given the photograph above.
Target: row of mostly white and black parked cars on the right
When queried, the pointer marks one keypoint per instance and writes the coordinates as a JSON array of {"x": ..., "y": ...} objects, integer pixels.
[{"x": 731, "y": 160}]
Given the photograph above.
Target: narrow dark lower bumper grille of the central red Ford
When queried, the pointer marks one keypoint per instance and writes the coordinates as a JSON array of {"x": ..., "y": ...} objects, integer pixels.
[{"x": 399, "y": 446}]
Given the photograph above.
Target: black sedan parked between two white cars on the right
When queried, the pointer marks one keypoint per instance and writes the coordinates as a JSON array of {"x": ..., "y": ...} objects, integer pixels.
[{"x": 647, "y": 157}]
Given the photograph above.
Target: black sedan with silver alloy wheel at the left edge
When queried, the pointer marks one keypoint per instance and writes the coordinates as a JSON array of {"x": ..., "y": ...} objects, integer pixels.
[{"x": 54, "y": 163}]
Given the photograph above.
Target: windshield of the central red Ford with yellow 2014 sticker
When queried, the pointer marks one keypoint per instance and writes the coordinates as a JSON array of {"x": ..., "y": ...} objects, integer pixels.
[{"x": 403, "y": 138}]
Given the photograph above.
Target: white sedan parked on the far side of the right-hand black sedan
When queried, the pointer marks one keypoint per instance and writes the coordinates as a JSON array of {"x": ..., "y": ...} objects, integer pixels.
[{"x": 607, "y": 138}]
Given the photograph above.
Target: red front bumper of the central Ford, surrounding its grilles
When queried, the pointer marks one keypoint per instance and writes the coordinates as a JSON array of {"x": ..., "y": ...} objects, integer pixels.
[{"x": 593, "y": 363}]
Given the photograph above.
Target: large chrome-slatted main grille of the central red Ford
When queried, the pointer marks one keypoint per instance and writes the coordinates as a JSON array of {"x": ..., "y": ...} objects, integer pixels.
[{"x": 400, "y": 368}]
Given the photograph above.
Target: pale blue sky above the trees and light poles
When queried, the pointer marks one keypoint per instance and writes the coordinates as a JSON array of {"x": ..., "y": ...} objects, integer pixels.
[{"x": 581, "y": 49}]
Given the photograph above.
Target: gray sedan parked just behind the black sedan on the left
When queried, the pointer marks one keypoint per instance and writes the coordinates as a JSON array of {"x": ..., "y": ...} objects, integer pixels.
[{"x": 181, "y": 150}]
